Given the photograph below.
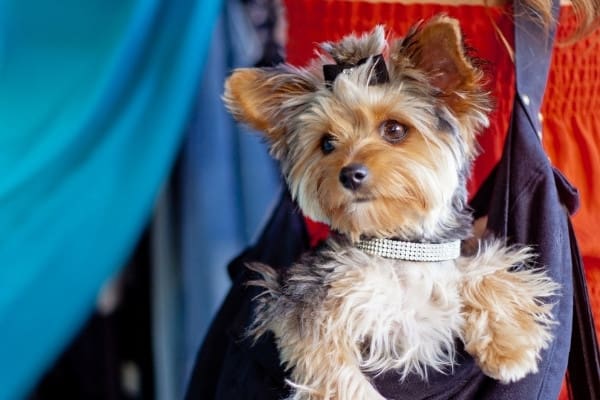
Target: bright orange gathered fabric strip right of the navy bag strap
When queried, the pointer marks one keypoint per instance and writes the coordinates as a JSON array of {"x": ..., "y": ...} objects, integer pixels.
[{"x": 571, "y": 137}]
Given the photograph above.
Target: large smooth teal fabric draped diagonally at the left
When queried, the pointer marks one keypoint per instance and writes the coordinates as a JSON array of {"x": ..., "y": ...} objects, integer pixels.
[{"x": 94, "y": 98}]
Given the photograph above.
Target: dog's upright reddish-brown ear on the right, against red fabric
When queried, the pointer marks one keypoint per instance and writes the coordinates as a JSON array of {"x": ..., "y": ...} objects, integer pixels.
[{"x": 436, "y": 49}]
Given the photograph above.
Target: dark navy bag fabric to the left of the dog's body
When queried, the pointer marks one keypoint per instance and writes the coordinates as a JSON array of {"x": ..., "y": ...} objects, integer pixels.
[{"x": 229, "y": 366}]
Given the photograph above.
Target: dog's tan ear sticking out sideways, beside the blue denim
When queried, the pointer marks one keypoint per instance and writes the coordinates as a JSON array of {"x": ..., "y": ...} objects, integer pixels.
[{"x": 266, "y": 98}]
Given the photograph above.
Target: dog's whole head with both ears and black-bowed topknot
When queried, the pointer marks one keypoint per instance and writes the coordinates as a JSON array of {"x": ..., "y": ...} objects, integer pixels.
[{"x": 382, "y": 148}]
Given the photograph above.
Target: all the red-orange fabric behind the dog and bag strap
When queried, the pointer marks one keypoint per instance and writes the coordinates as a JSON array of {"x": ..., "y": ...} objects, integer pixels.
[{"x": 571, "y": 122}]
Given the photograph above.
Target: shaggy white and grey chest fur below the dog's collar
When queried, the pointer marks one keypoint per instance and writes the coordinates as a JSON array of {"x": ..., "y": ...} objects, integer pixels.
[{"x": 395, "y": 314}]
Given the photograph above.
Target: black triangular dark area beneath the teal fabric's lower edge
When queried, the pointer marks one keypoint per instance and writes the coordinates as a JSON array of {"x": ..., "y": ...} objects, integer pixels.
[{"x": 91, "y": 367}]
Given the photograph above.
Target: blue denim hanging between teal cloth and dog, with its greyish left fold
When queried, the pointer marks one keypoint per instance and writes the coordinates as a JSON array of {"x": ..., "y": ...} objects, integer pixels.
[{"x": 221, "y": 191}]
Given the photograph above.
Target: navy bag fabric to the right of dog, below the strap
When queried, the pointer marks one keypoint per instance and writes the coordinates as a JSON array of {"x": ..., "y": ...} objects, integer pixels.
[{"x": 525, "y": 207}]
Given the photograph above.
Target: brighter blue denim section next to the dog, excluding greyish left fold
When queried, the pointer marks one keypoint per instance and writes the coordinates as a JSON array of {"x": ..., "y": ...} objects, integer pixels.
[{"x": 227, "y": 181}]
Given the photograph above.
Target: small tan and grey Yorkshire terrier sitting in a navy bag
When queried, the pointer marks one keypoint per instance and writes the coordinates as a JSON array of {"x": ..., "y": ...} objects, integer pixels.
[{"x": 377, "y": 142}]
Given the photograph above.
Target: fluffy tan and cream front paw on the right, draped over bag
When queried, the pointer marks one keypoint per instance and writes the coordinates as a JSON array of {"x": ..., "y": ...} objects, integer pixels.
[{"x": 507, "y": 312}]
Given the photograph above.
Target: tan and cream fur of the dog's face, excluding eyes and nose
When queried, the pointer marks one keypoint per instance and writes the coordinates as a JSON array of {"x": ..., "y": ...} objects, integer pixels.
[{"x": 400, "y": 177}]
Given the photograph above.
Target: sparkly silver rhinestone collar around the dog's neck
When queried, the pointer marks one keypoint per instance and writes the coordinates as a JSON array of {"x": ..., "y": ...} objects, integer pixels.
[{"x": 411, "y": 251}]
